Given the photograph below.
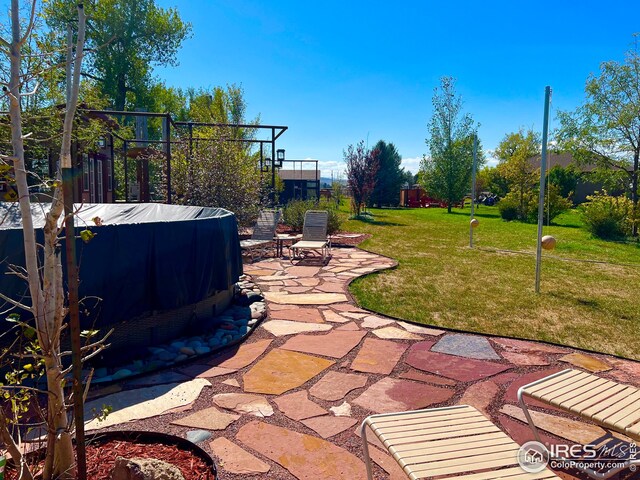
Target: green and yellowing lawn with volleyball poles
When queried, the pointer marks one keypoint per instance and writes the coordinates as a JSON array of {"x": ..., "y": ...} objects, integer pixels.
[{"x": 490, "y": 289}]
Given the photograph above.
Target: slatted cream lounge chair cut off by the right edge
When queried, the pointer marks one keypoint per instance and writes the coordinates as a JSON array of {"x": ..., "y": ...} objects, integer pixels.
[{"x": 611, "y": 405}]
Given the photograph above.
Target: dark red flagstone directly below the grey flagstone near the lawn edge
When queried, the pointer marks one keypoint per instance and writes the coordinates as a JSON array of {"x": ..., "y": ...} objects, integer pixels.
[{"x": 457, "y": 368}]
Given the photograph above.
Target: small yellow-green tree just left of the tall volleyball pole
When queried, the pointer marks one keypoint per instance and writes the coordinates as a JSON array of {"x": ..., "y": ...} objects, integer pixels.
[{"x": 515, "y": 152}]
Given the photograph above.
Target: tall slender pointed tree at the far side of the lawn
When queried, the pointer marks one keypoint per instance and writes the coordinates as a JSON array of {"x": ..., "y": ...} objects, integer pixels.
[{"x": 446, "y": 173}]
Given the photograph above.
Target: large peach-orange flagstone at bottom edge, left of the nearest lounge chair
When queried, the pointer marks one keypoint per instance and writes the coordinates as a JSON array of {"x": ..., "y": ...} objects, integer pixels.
[{"x": 305, "y": 456}]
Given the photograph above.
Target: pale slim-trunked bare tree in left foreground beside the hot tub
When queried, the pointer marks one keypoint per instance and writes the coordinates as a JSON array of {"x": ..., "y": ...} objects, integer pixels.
[{"x": 46, "y": 288}]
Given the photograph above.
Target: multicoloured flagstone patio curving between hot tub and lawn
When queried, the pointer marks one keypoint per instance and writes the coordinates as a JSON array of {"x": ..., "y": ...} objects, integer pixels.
[{"x": 286, "y": 403}]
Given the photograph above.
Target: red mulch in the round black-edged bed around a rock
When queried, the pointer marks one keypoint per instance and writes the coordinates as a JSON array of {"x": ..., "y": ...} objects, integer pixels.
[{"x": 101, "y": 458}]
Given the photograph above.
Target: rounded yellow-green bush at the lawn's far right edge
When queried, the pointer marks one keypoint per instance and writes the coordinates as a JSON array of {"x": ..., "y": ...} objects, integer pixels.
[{"x": 608, "y": 217}]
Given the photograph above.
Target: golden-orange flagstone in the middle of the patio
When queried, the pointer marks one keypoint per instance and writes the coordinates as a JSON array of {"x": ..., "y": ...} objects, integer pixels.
[{"x": 282, "y": 370}]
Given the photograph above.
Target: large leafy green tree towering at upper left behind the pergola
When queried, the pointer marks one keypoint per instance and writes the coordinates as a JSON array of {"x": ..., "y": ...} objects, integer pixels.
[{"x": 125, "y": 39}]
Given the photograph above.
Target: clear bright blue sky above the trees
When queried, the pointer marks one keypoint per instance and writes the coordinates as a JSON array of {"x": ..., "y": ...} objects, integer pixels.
[{"x": 336, "y": 72}]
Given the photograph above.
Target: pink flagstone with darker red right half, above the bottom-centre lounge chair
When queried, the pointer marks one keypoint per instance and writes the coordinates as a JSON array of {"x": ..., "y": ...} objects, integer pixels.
[{"x": 393, "y": 395}]
